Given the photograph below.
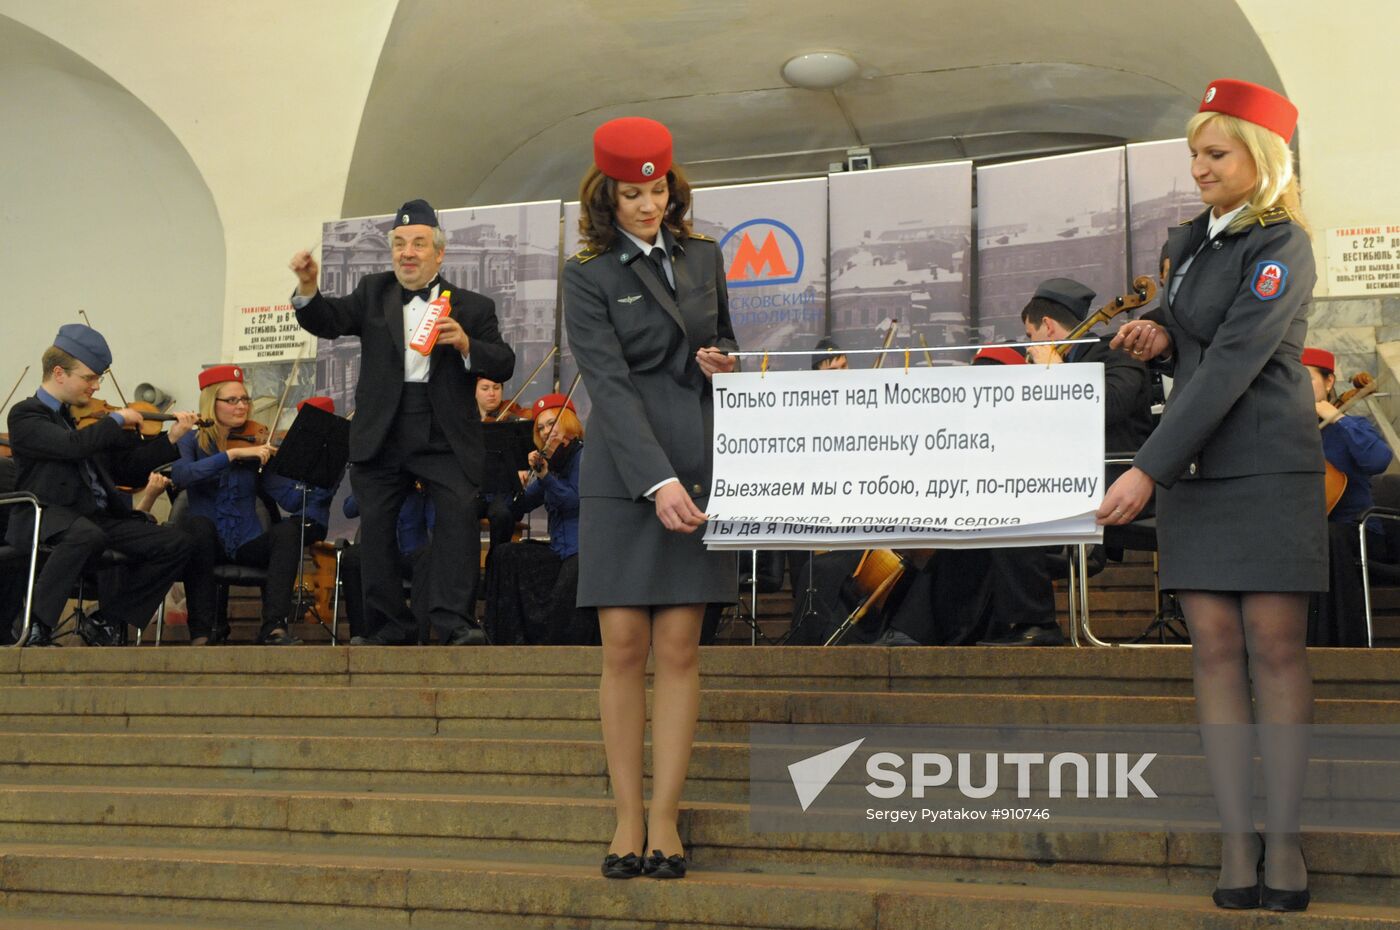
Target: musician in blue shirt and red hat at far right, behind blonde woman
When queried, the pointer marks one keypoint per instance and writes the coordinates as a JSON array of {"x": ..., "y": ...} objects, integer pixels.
[{"x": 1356, "y": 449}]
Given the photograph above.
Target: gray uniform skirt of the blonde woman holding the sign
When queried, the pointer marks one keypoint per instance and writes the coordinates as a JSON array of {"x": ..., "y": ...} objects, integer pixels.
[{"x": 1261, "y": 533}]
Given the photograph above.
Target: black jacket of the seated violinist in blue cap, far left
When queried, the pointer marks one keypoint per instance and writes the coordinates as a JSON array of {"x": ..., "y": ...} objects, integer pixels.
[{"x": 50, "y": 454}]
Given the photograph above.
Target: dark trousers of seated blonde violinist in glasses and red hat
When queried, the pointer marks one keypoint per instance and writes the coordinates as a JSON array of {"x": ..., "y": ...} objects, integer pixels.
[{"x": 278, "y": 551}]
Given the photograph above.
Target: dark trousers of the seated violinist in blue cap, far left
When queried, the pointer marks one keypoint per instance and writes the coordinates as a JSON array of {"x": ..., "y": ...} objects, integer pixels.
[{"x": 128, "y": 597}]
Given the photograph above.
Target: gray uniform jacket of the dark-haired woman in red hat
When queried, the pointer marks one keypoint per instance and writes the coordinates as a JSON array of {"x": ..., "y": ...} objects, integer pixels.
[{"x": 652, "y": 405}]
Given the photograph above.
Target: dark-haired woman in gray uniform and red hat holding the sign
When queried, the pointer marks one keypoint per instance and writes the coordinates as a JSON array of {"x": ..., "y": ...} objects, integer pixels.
[{"x": 649, "y": 323}]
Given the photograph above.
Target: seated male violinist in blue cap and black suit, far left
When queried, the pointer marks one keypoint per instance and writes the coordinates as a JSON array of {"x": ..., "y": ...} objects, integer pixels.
[{"x": 72, "y": 474}]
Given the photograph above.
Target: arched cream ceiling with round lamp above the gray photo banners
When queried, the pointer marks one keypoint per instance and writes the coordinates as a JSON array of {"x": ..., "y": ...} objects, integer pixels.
[{"x": 486, "y": 103}]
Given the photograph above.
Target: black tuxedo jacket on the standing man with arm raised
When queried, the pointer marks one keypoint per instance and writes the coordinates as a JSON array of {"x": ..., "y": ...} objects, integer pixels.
[{"x": 374, "y": 313}]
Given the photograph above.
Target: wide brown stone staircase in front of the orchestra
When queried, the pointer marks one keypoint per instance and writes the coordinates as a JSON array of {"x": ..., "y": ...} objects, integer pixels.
[{"x": 430, "y": 788}]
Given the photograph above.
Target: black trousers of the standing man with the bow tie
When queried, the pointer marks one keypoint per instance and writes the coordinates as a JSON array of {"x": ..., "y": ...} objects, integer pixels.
[{"x": 416, "y": 450}]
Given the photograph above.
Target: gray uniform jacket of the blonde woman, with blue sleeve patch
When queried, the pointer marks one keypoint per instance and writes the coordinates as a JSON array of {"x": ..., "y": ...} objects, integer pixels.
[{"x": 1241, "y": 400}]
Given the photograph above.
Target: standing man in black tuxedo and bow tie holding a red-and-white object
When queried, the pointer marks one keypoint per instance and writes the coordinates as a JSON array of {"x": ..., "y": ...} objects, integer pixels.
[{"x": 415, "y": 419}]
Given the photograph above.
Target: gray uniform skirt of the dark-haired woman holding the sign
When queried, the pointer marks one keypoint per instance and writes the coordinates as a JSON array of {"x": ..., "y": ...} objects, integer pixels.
[{"x": 626, "y": 558}]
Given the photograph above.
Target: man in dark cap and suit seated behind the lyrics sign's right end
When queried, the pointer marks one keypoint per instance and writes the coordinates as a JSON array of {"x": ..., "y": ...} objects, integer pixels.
[{"x": 1023, "y": 595}]
